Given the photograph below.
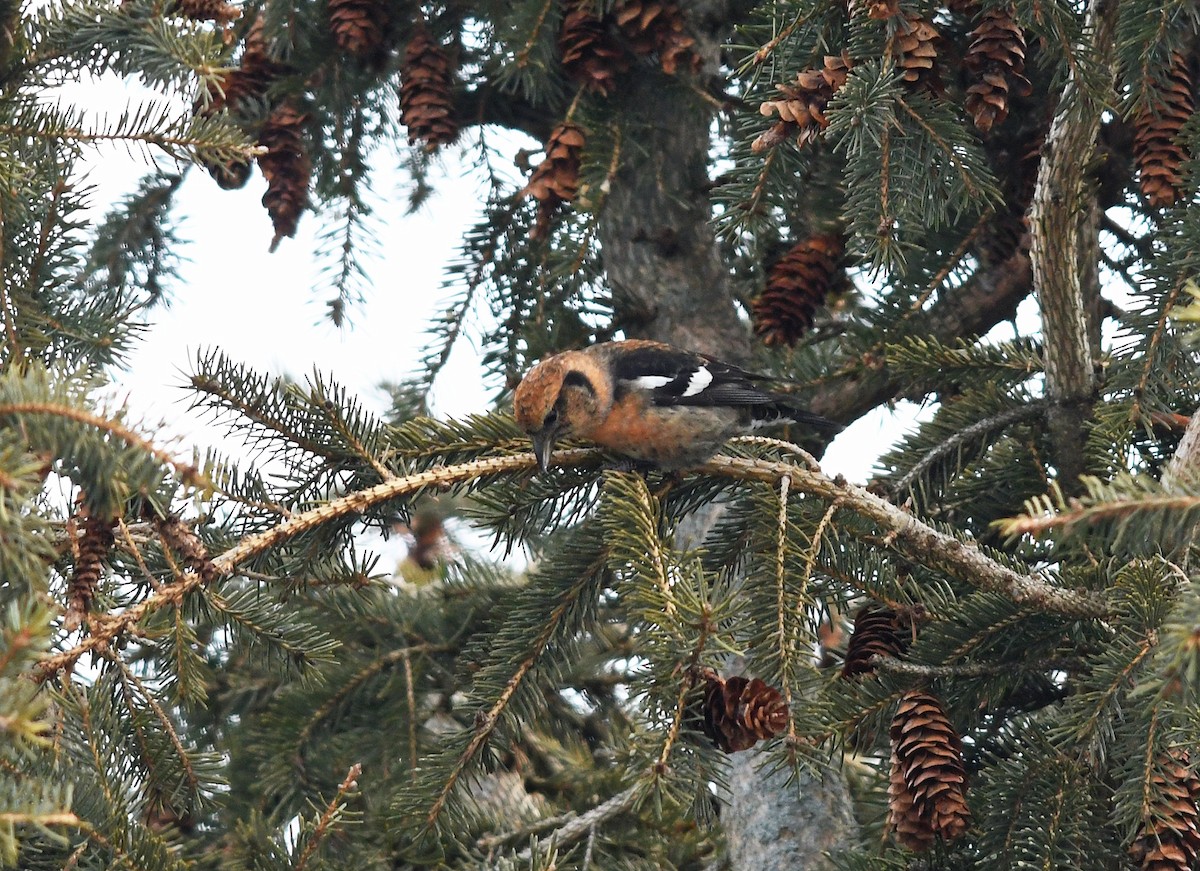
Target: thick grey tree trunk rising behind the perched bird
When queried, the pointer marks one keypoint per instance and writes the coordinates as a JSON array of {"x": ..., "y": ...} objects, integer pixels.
[{"x": 670, "y": 284}]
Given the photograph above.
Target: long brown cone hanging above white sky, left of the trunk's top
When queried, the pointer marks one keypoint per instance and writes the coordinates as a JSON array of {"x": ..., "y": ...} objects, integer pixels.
[{"x": 425, "y": 101}]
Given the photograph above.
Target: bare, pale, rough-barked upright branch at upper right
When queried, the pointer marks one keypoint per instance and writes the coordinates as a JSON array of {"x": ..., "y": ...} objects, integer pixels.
[{"x": 1059, "y": 249}]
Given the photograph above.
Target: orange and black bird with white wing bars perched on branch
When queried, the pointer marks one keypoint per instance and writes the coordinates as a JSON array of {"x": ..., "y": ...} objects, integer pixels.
[{"x": 650, "y": 403}]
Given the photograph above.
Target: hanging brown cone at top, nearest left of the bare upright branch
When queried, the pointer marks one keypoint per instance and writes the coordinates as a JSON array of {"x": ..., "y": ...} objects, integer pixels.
[{"x": 997, "y": 63}]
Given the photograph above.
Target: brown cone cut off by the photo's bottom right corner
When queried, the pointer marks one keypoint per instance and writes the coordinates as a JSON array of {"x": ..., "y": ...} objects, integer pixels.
[{"x": 1169, "y": 838}]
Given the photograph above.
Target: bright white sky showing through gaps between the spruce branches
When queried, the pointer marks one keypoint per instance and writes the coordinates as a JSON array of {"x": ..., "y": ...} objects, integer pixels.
[{"x": 268, "y": 311}]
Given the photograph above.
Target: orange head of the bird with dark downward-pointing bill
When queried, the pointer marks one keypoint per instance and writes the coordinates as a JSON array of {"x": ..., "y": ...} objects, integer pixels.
[{"x": 556, "y": 399}]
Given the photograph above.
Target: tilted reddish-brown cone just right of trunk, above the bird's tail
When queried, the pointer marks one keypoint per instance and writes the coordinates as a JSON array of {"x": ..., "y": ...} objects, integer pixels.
[{"x": 796, "y": 286}]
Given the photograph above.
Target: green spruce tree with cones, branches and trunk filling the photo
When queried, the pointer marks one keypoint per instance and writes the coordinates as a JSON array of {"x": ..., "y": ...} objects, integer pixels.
[{"x": 983, "y": 658}]
